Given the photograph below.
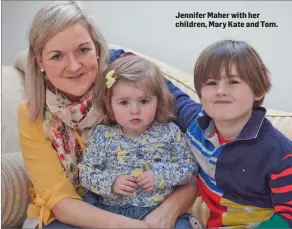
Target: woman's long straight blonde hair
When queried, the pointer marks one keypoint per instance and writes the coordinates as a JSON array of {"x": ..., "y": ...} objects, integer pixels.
[{"x": 47, "y": 22}]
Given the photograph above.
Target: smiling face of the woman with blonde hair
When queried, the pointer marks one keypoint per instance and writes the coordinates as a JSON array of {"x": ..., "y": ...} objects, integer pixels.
[{"x": 69, "y": 59}]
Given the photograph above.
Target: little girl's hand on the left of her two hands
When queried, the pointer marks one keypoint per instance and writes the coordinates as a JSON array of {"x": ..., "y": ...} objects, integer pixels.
[{"x": 125, "y": 185}]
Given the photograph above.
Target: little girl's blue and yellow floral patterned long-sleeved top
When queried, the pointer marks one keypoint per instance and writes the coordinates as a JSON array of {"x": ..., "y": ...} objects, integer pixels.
[{"x": 162, "y": 148}]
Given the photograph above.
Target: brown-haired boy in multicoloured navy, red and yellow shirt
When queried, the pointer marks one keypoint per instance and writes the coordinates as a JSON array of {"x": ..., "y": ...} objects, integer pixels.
[{"x": 245, "y": 174}]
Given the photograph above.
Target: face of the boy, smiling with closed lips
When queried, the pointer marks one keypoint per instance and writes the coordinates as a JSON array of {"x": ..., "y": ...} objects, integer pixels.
[{"x": 228, "y": 99}]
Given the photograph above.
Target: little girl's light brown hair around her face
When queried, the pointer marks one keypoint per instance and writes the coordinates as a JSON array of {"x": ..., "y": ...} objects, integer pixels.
[{"x": 145, "y": 75}]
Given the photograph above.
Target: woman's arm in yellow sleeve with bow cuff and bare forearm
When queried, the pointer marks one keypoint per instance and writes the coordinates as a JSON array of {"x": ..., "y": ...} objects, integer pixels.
[{"x": 55, "y": 196}]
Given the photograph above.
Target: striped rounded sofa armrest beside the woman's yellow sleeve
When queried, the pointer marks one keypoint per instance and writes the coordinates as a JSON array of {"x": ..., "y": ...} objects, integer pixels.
[{"x": 14, "y": 187}]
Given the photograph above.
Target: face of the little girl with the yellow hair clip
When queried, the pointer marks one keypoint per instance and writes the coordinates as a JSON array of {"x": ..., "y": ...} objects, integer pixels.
[{"x": 132, "y": 108}]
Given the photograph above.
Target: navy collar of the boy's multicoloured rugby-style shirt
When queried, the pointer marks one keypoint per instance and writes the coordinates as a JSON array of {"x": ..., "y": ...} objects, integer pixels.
[{"x": 249, "y": 131}]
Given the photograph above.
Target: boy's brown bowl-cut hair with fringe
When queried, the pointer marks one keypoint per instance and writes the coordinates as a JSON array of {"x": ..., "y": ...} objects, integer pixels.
[{"x": 223, "y": 55}]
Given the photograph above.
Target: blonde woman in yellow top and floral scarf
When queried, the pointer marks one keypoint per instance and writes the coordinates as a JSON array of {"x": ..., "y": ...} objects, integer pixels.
[{"x": 66, "y": 55}]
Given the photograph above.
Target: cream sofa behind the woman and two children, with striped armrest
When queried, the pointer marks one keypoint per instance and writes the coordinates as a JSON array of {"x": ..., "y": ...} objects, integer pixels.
[{"x": 15, "y": 183}]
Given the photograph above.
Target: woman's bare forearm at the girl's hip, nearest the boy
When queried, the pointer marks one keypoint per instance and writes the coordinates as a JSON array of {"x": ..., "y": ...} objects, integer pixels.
[{"x": 174, "y": 206}]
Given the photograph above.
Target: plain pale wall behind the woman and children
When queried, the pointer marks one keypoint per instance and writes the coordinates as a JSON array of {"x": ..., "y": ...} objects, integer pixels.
[{"x": 149, "y": 27}]
